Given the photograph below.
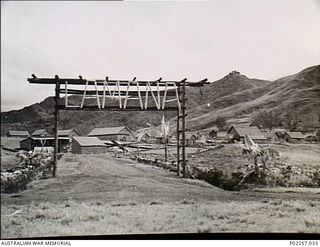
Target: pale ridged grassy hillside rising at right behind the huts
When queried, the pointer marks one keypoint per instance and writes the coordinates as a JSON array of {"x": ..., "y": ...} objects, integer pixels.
[{"x": 299, "y": 92}]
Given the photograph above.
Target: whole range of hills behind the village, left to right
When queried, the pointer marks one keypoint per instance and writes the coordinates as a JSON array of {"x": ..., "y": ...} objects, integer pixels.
[{"x": 234, "y": 97}]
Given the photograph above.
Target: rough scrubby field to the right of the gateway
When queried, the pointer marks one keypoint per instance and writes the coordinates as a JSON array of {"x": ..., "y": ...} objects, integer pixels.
[{"x": 294, "y": 165}]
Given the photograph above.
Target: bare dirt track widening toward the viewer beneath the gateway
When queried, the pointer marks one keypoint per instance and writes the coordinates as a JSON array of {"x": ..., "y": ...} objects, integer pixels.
[{"x": 111, "y": 180}]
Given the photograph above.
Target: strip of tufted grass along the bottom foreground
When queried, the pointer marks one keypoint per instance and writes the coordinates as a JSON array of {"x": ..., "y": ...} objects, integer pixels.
[{"x": 73, "y": 218}]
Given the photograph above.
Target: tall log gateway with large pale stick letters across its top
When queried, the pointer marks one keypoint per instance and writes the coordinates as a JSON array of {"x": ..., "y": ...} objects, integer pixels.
[{"x": 123, "y": 95}]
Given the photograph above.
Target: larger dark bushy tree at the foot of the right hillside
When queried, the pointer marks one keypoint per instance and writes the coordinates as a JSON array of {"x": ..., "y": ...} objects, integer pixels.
[{"x": 266, "y": 120}]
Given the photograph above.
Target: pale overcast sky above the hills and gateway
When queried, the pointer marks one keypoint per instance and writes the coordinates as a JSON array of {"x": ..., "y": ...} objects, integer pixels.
[{"x": 173, "y": 40}]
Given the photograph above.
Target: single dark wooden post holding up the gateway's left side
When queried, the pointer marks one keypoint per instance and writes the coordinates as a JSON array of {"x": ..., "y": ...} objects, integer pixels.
[{"x": 56, "y": 116}]
